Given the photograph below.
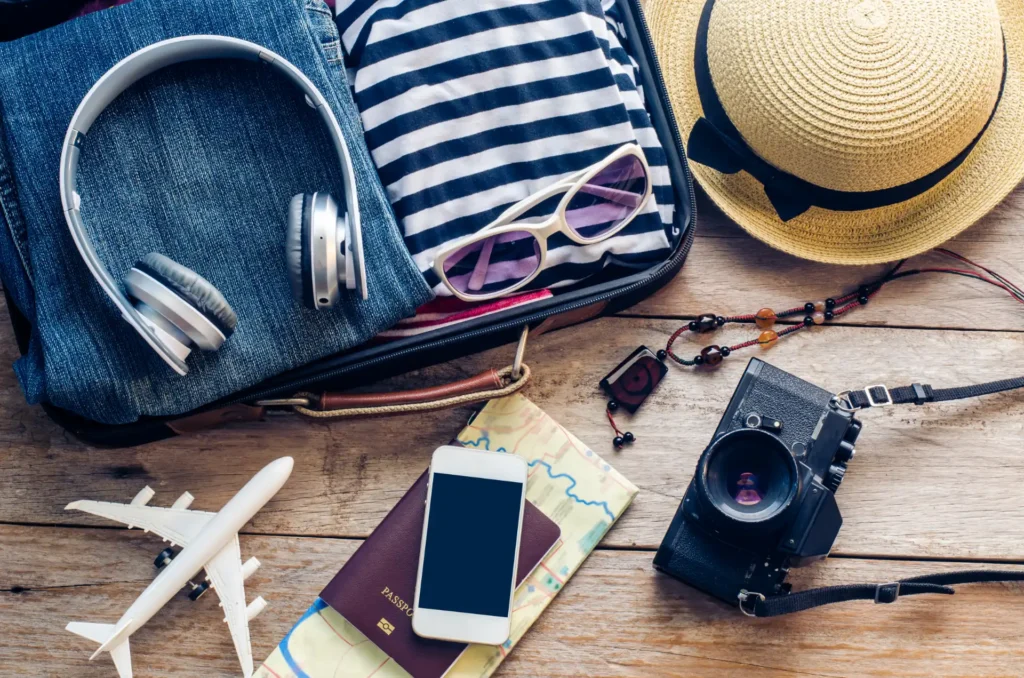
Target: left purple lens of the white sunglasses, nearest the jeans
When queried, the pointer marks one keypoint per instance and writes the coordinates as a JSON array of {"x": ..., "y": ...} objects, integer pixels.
[{"x": 492, "y": 266}]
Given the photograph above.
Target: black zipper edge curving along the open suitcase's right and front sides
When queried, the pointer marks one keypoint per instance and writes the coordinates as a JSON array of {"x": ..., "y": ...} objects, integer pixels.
[{"x": 670, "y": 268}]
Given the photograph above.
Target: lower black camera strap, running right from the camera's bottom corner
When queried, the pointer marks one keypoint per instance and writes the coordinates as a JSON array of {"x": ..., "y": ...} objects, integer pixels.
[{"x": 757, "y": 605}]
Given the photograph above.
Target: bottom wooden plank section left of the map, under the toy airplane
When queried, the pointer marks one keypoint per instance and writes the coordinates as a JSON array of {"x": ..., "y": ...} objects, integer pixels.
[{"x": 65, "y": 575}]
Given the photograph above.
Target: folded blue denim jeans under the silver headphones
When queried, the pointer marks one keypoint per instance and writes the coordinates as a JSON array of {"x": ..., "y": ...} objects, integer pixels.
[{"x": 198, "y": 162}]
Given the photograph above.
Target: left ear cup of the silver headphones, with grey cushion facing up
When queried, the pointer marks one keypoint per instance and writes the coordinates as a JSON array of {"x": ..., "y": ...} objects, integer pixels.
[{"x": 184, "y": 299}]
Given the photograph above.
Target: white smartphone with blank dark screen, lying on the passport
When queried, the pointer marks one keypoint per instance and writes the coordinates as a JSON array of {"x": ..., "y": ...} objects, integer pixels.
[{"x": 471, "y": 546}]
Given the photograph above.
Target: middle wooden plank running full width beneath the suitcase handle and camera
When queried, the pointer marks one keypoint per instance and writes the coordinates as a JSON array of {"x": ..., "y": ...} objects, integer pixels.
[{"x": 942, "y": 481}]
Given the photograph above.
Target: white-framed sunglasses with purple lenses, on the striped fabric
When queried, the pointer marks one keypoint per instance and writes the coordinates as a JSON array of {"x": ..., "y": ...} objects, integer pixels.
[{"x": 506, "y": 256}]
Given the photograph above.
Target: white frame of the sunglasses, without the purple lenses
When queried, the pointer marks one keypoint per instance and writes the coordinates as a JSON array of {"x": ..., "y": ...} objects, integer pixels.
[{"x": 549, "y": 227}]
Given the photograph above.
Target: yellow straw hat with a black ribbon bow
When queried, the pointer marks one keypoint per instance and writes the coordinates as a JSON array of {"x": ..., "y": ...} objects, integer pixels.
[{"x": 848, "y": 132}]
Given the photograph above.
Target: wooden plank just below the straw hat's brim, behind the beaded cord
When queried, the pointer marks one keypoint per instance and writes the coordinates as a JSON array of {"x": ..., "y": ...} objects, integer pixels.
[{"x": 730, "y": 273}]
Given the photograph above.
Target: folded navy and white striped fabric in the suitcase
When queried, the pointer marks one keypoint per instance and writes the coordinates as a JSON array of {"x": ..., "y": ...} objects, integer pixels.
[{"x": 471, "y": 106}]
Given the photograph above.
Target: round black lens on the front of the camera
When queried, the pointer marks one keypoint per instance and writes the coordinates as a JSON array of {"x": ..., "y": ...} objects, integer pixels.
[{"x": 749, "y": 477}]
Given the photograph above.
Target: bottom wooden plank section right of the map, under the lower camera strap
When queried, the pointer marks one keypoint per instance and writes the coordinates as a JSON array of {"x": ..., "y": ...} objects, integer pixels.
[{"x": 622, "y": 619}]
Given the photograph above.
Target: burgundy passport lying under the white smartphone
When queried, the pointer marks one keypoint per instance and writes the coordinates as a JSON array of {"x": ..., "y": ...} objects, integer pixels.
[{"x": 376, "y": 588}]
